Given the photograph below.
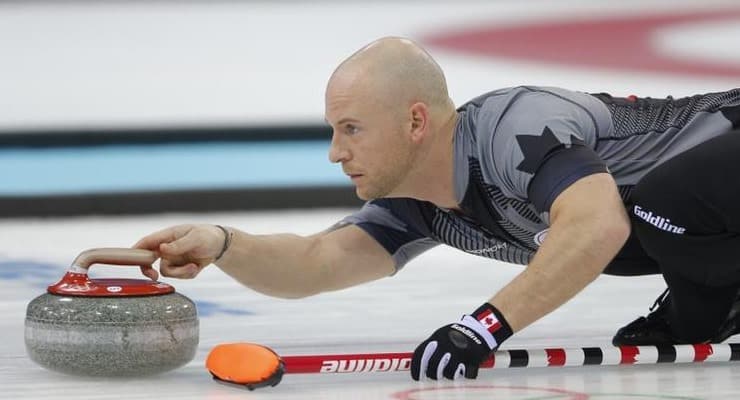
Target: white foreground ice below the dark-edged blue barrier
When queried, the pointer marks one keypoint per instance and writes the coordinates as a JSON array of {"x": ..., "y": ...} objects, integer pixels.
[{"x": 390, "y": 315}]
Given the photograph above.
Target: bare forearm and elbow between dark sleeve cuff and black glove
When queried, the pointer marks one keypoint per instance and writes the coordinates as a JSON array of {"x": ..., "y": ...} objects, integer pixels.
[{"x": 588, "y": 226}]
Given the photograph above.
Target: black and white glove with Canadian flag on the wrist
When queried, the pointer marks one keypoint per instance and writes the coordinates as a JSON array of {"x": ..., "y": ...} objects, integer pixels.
[{"x": 458, "y": 349}]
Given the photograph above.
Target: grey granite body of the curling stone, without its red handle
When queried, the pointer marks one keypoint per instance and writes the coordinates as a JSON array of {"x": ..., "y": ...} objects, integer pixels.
[{"x": 111, "y": 336}]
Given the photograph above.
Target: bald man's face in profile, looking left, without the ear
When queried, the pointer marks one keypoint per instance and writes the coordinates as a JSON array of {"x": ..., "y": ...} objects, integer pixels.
[{"x": 369, "y": 139}]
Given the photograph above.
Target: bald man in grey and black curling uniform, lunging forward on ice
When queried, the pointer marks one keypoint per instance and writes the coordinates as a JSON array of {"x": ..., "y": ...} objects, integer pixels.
[{"x": 539, "y": 176}]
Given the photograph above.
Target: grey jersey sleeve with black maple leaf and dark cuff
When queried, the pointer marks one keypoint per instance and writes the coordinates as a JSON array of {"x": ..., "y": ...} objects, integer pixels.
[{"x": 542, "y": 144}]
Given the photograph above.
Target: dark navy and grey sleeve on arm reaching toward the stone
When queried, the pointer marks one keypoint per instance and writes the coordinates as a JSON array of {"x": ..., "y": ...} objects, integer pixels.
[{"x": 397, "y": 224}]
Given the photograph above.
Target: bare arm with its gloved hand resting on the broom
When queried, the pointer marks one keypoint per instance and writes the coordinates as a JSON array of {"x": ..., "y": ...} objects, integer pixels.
[{"x": 588, "y": 226}]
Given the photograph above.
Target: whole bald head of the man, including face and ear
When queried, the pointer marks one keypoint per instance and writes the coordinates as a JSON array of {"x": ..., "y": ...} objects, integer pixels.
[{"x": 392, "y": 119}]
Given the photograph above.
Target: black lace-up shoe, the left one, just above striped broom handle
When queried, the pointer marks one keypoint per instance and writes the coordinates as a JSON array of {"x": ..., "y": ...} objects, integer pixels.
[{"x": 655, "y": 329}]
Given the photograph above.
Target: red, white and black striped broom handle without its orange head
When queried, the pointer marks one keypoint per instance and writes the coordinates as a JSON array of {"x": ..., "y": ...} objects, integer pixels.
[{"x": 555, "y": 357}]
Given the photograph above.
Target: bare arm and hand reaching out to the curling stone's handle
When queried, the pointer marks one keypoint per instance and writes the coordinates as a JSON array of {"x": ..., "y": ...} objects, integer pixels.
[{"x": 281, "y": 265}]
